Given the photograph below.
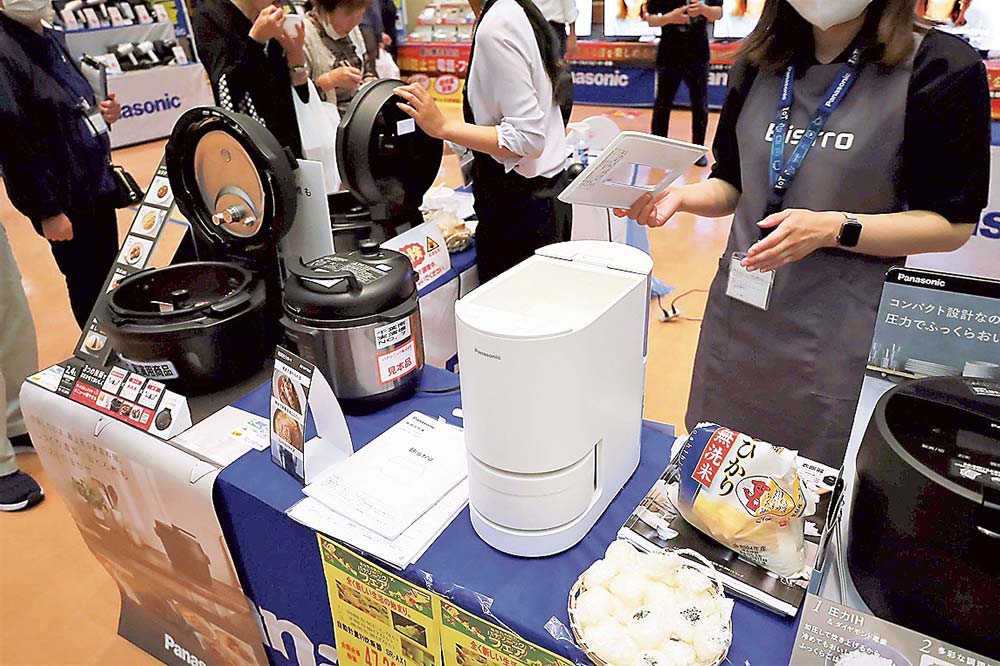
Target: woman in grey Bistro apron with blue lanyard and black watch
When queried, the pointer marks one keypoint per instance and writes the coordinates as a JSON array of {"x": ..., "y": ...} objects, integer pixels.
[{"x": 848, "y": 141}]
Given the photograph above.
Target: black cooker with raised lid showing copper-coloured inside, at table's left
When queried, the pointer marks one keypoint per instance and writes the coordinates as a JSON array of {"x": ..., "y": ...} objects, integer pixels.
[{"x": 207, "y": 325}]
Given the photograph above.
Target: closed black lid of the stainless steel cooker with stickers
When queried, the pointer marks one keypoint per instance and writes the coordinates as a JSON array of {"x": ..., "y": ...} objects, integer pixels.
[{"x": 347, "y": 288}]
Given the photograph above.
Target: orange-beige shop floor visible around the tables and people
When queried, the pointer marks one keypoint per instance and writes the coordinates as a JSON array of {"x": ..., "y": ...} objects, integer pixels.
[{"x": 59, "y": 607}]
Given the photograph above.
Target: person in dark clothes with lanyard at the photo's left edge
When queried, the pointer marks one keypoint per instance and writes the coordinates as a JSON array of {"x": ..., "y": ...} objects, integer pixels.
[{"x": 55, "y": 151}]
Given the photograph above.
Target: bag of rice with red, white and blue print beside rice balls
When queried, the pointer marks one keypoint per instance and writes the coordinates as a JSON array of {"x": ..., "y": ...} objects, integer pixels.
[{"x": 746, "y": 494}]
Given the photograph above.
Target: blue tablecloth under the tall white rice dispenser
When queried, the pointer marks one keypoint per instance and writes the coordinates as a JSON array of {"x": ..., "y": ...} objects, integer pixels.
[{"x": 279, "y": 564}]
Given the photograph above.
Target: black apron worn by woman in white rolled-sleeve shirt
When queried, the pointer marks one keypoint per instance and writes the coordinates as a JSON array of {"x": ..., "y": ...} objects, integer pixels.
[{"x": 517, "y": 215}]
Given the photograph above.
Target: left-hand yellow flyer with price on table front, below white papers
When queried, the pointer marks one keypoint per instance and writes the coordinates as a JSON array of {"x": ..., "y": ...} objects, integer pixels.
[{"x": 379, "y": 619}]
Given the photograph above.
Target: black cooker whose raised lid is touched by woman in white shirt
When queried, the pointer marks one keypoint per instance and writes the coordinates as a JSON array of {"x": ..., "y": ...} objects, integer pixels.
[{"x": 386, "y": 164}]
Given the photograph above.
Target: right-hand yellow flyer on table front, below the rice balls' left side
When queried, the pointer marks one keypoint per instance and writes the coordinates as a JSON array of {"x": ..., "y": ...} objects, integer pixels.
[{"x": 470, "y": 641}]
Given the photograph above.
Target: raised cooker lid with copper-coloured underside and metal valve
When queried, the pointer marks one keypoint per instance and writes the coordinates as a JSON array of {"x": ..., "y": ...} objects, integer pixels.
[{"x": 232, "y": 180}]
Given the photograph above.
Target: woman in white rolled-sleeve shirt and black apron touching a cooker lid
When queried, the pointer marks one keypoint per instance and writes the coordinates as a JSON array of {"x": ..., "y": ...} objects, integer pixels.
[{"x": 513, "y": 123}]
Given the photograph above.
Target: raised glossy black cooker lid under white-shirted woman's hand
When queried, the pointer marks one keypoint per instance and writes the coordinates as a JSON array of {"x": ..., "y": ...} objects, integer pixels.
[{"x": 382, "y": 155}]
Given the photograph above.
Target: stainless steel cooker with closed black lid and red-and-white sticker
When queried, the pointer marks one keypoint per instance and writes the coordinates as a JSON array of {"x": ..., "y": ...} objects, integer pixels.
[{"x": 355, "y": 315}]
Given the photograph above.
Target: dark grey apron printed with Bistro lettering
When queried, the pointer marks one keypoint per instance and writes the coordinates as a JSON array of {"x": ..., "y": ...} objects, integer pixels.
[{"x": 792, "y": 375}]
